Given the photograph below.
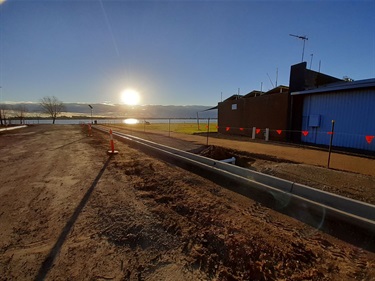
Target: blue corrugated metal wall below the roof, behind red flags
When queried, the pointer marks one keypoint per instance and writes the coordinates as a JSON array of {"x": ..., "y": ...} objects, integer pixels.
[{"x": 354, "y": 115}]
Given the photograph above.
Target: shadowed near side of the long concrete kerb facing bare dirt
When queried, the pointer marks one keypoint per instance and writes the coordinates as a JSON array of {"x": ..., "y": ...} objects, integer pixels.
[{"x": 296, "y": 206}]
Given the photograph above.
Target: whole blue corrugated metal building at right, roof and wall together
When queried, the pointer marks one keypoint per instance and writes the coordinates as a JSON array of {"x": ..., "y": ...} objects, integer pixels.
[{"x": 350, "y": 104}]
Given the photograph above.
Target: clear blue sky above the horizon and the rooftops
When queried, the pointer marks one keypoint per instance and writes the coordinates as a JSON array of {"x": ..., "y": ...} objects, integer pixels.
[{"x": 175, "y": 52}]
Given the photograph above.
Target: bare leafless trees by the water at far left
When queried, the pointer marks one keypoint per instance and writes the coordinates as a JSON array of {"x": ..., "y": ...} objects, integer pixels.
[{"x": 51, "y": 106}]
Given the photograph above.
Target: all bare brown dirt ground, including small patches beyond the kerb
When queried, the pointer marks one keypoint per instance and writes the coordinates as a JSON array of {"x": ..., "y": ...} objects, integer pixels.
[{"x": 69, "y": 211}]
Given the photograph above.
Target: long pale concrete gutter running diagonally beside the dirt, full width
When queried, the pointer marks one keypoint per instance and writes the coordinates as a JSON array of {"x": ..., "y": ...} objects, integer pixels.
[{"x": 318, "y": 208}]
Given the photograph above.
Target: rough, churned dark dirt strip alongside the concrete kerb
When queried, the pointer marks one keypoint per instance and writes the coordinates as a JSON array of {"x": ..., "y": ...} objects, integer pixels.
[{"x": 219, "y": 248}]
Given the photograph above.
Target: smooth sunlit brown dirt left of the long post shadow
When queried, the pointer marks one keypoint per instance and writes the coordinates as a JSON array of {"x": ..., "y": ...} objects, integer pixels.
[{"x": 39, "y": 185}]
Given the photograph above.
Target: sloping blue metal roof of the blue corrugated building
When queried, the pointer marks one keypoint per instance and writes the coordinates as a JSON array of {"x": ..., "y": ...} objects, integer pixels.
[{"x": 339, "y": 86}]
